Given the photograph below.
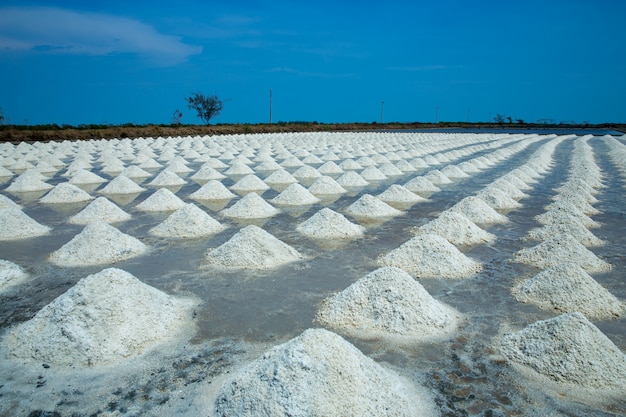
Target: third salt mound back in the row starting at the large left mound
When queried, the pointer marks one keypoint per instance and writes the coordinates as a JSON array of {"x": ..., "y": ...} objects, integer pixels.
[{"x": 329, "y": 225}]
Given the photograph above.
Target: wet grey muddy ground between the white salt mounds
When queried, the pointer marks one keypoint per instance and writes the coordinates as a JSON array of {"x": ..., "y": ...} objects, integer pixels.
[{"x": 242, "y": 313}]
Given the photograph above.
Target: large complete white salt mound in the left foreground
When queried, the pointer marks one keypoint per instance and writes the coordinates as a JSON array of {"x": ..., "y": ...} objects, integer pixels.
[{"x": 104, "y": 318}]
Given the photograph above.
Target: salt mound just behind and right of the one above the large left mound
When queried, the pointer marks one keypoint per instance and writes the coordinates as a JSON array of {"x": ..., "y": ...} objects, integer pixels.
[{"x": 187, "y": 222}]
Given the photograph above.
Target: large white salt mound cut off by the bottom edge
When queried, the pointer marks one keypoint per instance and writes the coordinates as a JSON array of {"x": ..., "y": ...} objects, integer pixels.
[{"x": 319, "y": 374}]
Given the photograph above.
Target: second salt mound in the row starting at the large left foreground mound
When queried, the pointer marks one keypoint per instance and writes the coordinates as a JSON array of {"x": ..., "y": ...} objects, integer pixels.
[{"x": 252, "y": 248}]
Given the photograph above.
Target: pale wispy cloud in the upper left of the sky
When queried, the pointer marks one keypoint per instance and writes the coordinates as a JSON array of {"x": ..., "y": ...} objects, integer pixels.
[{"x": 62, "y": 31}]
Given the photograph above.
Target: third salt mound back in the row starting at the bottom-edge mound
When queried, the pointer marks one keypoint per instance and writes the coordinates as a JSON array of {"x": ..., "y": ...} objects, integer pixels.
[{"x": 430, "y": 256}]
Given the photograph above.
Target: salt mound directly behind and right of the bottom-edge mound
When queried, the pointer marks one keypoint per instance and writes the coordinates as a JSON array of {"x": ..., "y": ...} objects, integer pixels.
[{"x": 388, "y": 302}]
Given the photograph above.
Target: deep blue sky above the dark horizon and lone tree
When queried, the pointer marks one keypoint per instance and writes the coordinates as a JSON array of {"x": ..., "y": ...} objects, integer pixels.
[{"x": 75, "y": 62}]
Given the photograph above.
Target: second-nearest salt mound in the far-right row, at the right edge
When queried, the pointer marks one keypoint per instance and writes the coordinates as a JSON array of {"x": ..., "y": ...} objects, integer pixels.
[{"x": 568, "y": 288}]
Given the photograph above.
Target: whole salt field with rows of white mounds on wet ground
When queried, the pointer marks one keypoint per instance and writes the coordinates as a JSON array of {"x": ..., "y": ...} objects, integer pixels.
[{"x": 360, "y": 273}]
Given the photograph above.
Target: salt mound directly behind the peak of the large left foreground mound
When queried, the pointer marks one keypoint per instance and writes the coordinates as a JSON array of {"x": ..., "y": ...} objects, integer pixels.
[{"x": 98, "y": 244}]
